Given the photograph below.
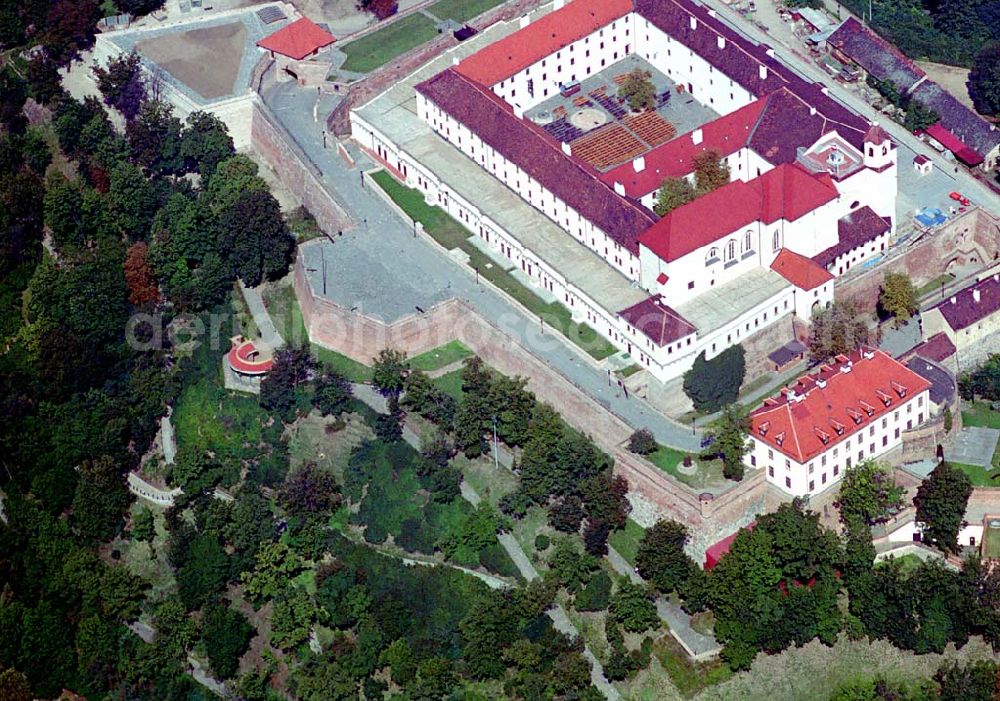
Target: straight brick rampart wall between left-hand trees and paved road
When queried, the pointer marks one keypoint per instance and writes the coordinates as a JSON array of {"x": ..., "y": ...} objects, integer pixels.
[{"x": 295, "y": 170}]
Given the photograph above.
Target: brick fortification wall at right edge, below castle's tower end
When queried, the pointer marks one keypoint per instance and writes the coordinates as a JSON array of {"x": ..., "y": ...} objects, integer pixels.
[{"x": 972, "y": 237}]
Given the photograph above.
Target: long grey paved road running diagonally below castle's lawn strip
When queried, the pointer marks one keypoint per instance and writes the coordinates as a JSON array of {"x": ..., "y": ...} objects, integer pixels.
[{"x": 387, "y": 237}]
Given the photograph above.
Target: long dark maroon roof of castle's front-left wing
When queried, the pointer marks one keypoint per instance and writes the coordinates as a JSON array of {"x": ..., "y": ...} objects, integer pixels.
[{"x": 538, "y": 154}]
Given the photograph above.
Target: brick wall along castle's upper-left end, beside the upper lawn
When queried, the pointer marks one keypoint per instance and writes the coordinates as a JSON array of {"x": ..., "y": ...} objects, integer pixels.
[{"x": 384, "y": 77}]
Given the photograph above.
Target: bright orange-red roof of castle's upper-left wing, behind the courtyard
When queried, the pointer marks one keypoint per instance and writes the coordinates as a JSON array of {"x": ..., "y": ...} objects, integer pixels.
[{"x": 545, "y": 36}]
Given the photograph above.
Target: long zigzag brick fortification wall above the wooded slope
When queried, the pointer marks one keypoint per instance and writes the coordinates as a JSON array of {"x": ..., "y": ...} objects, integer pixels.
[{"x": 653, "y": 493}]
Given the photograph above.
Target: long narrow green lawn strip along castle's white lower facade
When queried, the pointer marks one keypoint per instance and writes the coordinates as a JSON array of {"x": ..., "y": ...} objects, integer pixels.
[{"x": 450, "y": 234}]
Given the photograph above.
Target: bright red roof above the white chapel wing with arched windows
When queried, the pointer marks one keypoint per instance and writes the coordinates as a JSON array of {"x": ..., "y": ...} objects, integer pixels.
[{"x": 786, "y": 192}]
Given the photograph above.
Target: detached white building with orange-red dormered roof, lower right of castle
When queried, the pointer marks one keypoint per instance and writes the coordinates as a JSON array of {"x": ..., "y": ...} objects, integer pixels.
[{"x": 853, "y": 409}]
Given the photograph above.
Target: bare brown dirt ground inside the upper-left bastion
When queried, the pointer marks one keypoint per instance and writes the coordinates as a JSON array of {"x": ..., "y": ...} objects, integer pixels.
[{"x": 206, "y": 60}]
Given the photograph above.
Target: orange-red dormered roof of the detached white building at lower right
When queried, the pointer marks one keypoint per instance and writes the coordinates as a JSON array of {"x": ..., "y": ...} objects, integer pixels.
[{"x": 819, "y": 411}]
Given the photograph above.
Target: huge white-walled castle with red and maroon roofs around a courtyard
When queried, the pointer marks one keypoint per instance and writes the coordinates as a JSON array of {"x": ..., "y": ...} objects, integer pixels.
[{"x": 528, "y": 120}]
